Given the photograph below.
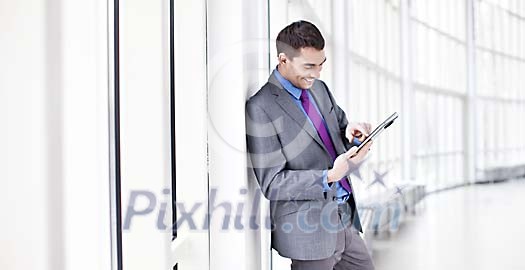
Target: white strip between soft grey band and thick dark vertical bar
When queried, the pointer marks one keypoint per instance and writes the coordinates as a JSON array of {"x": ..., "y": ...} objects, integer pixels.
[{"x": 85, "y": 144}]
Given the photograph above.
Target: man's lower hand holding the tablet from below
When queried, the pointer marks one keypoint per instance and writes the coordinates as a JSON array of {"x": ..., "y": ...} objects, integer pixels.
[{"x": 342, "y": 162}]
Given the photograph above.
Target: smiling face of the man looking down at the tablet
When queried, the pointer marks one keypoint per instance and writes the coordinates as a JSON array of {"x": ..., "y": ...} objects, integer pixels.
[{"x": 304, "y": 68}]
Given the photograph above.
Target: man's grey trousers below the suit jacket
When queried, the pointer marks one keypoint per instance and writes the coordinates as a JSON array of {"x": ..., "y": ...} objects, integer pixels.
[{"x": 350, "y": 252}]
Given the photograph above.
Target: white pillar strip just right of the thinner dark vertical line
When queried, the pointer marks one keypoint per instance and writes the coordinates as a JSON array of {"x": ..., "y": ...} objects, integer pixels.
[{"x": 191, "y": 247}]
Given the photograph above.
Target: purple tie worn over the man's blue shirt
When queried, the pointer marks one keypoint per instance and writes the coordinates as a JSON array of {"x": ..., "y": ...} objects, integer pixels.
[{"x": 321, "y": 130}]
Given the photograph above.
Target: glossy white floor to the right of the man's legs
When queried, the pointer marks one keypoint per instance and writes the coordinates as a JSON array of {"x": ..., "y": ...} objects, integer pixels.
[{"x": 475, "y": 227}]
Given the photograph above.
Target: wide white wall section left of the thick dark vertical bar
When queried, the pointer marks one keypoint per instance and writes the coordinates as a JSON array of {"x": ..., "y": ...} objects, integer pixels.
[{"x": 55, "y": 93}]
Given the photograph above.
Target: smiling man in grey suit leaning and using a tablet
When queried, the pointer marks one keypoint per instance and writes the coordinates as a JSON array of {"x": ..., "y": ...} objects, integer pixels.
[{"x": 302, "y": 149}]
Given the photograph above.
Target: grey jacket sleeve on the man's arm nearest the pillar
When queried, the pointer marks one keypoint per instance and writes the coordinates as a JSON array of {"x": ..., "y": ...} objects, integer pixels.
[{"x": 269, "y": 163}]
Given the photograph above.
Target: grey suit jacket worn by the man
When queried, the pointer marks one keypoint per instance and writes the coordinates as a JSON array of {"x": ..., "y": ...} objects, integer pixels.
[{"x": 288, "y": 159}]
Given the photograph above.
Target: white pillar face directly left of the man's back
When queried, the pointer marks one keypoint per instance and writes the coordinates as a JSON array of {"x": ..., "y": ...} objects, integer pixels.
[{"x": 225, "y": 135}]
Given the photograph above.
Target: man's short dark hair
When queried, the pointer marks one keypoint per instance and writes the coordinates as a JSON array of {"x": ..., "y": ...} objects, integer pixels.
[{"x": 300, "y": 34}]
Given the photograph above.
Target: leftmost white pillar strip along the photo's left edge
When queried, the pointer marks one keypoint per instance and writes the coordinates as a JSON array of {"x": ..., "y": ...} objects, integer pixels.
[{"x": 26, "y": 161}]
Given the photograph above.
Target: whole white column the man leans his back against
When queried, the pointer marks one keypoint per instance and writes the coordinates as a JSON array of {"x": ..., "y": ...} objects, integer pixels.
[{"x": 237, "y": 39}]
